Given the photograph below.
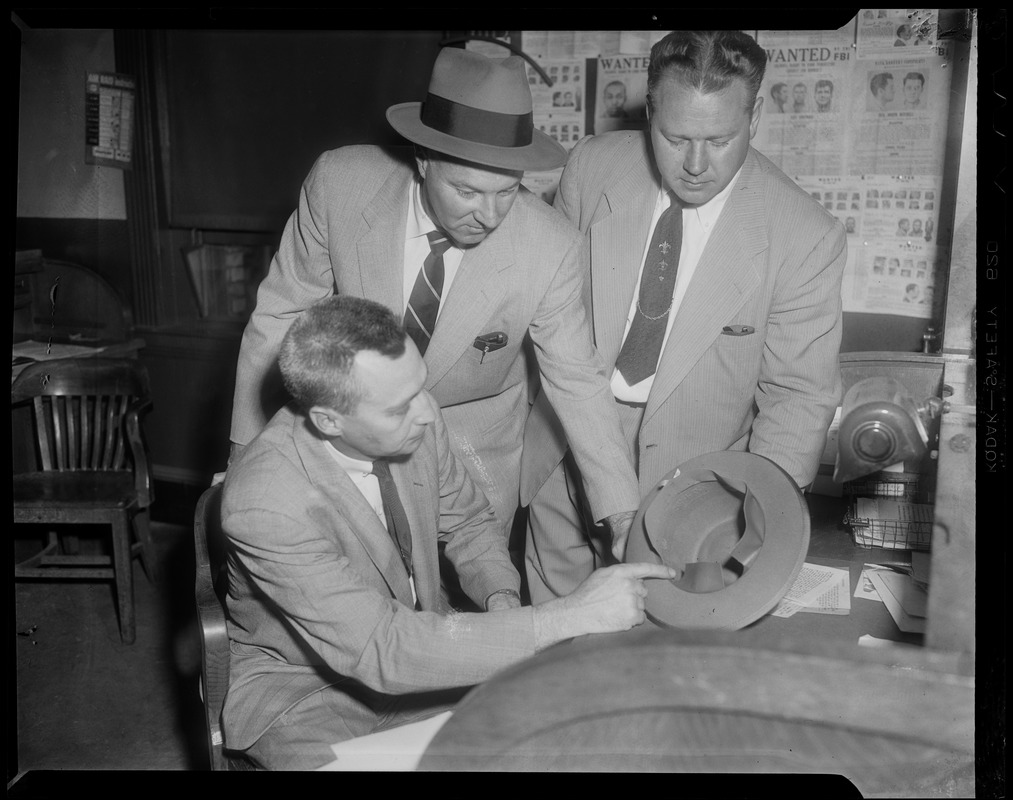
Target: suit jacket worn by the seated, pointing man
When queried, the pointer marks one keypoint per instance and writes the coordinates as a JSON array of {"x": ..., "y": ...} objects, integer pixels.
[{"x": 320, "y": 600}]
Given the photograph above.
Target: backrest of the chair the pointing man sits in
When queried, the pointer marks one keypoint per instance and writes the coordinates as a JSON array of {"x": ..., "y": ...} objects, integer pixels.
[{"x": 211, "y": 588}]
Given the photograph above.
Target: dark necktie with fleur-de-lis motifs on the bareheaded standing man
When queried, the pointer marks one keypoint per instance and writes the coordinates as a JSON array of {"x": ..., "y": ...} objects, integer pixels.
[{"x": 639, "y": 358}]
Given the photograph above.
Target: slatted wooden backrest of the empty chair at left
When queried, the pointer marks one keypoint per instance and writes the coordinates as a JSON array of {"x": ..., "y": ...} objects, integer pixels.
[{"x": 87, "y": 416}]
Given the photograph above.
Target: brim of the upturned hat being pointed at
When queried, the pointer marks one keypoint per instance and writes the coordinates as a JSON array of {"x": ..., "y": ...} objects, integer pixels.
[{"x": 767, "y": 580}]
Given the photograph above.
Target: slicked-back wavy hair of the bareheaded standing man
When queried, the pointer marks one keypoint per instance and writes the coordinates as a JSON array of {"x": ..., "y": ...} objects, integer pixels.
[{"x": 708, "y": 61}]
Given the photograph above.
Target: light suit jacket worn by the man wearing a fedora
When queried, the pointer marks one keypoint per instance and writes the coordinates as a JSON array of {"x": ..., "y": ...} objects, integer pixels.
[{"x": 524, "y": 280}]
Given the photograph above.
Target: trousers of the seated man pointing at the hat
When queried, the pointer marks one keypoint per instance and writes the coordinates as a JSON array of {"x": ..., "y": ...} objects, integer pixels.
[{"x": 301, "y": 738}]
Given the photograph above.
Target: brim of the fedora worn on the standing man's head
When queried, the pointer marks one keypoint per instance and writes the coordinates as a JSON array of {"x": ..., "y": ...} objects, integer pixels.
[{"x": 543, "y": 152}]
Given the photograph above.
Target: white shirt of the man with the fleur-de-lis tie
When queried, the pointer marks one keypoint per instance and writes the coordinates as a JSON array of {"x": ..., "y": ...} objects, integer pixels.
[{"x": 698, "y": 222}]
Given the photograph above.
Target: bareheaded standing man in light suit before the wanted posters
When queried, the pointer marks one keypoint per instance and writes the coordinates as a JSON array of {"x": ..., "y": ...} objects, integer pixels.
[{"x": 738, "y": 348}]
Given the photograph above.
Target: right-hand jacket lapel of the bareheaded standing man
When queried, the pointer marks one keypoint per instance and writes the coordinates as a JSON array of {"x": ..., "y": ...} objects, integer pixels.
[{"x": 727, "y": 274}]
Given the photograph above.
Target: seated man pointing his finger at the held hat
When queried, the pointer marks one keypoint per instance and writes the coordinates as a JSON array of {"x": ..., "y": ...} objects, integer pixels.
[{"x": 334, "y": 514}]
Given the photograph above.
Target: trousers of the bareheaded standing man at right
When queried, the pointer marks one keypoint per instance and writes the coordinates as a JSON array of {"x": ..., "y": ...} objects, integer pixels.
[{"x": 564, "y": 544}]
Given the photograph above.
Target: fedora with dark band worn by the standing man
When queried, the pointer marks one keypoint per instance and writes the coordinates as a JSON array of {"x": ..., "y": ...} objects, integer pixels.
[{"x": 479, "y": 110}]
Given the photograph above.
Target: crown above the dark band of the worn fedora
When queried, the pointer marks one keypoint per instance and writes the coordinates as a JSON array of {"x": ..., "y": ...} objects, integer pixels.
[{"x": 499, "y": 86}]
